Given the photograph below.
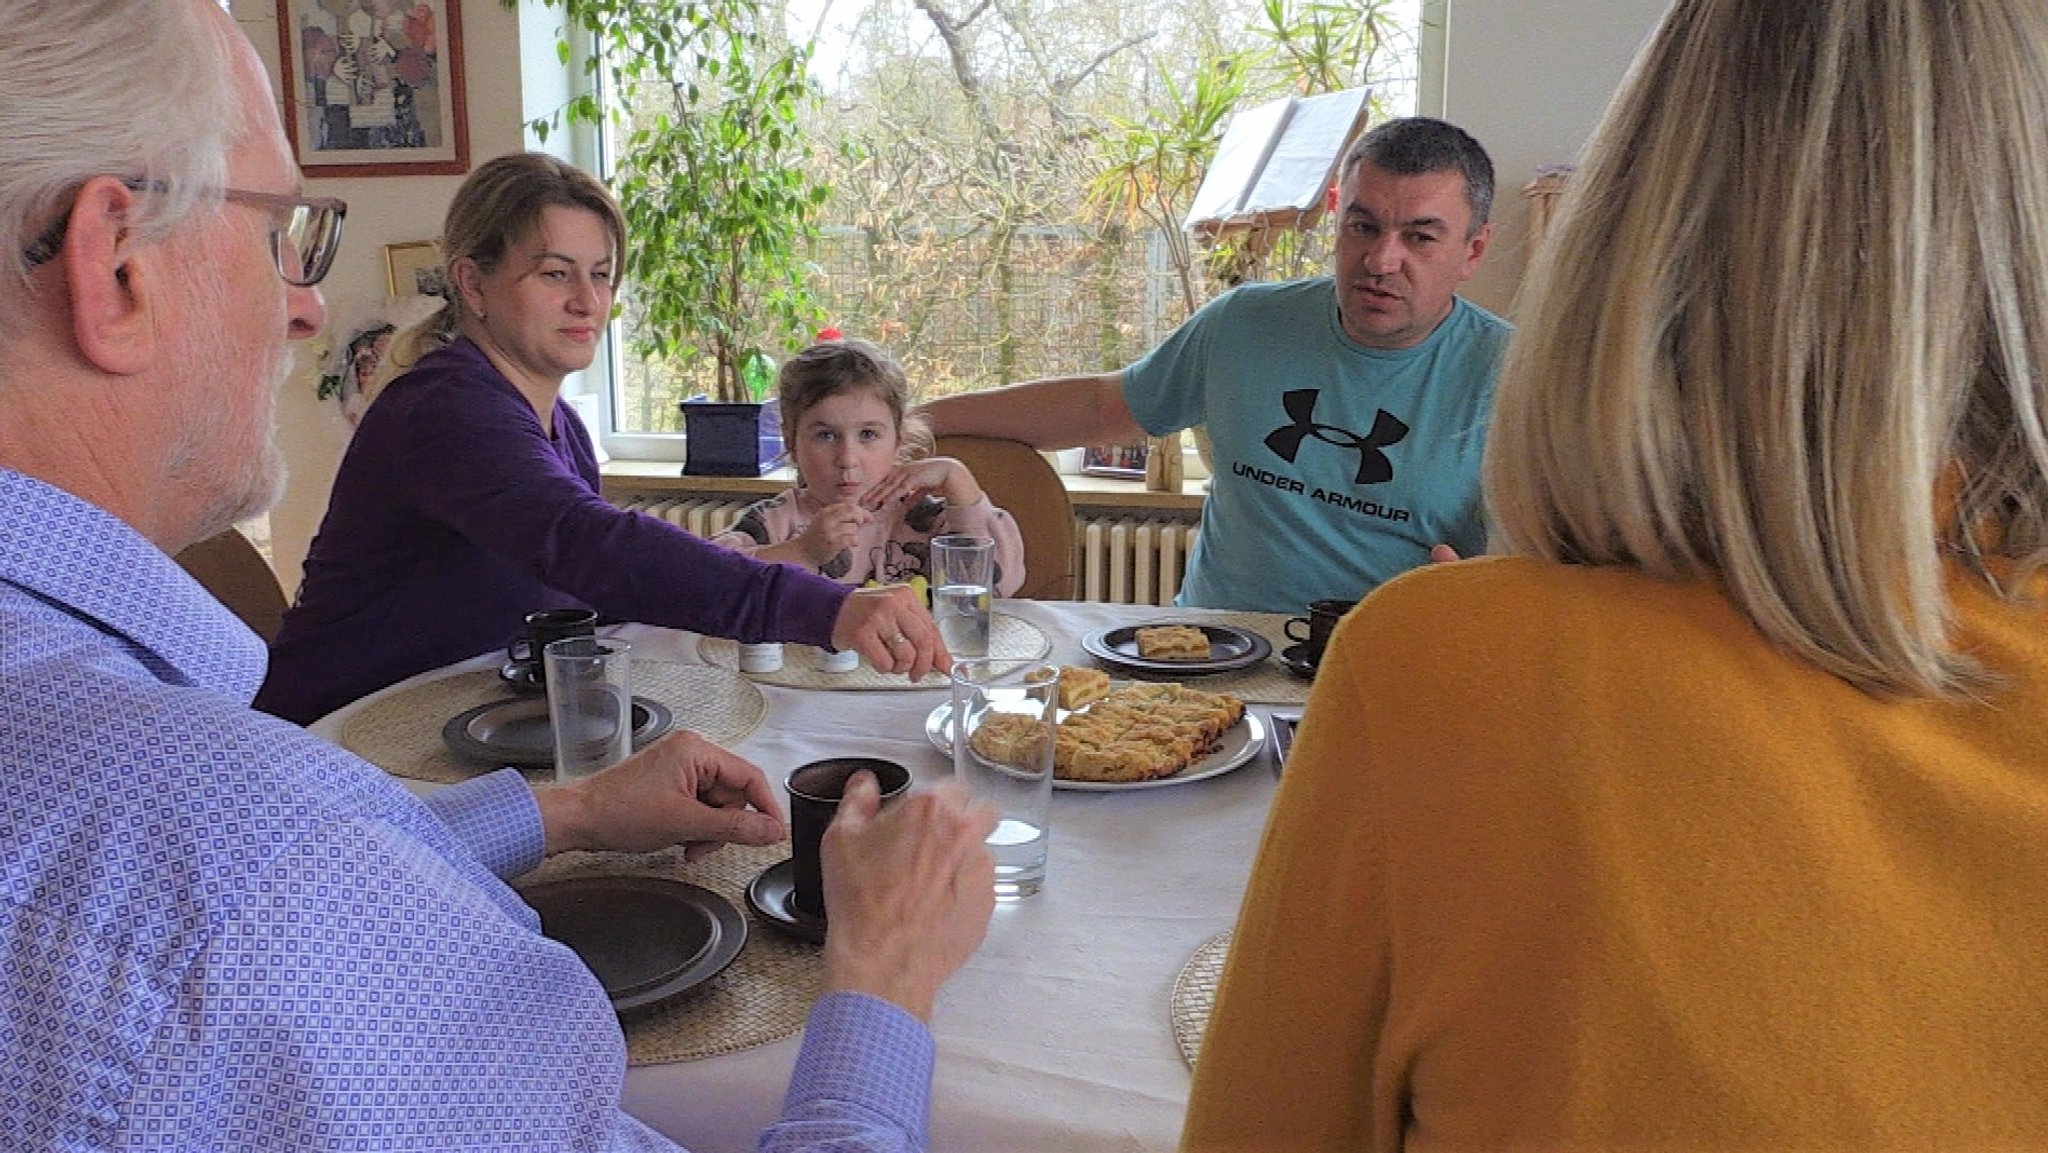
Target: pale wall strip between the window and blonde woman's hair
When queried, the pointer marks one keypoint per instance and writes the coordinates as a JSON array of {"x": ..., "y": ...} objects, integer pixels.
[{"x": 1531, "y": 79}]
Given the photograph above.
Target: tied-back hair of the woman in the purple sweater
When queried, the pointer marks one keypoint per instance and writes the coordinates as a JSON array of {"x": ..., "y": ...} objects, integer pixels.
[{"x": 497, "y": 208}]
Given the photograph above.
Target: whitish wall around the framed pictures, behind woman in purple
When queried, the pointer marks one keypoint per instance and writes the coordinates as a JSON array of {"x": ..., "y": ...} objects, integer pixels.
[{"x": 382, "y": 210}]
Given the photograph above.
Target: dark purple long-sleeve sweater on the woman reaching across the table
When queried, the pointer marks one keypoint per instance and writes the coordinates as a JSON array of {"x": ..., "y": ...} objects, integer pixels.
[{"x": 456, "y": 515}]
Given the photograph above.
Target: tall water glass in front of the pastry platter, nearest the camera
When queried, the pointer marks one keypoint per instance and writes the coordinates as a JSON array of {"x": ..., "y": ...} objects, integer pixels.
[{"x": 1005, "y": 716}]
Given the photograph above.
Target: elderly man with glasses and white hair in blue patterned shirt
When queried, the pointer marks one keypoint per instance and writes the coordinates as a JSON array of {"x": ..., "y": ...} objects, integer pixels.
[{"x": 218, "y": 931}]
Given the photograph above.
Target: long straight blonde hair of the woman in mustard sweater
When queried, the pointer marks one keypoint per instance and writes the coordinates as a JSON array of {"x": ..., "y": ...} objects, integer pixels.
[{"x": 1789, "y": 329}]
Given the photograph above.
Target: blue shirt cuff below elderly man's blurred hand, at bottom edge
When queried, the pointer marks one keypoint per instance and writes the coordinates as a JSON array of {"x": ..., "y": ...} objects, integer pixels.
[{"x": 863, "y": 1078}]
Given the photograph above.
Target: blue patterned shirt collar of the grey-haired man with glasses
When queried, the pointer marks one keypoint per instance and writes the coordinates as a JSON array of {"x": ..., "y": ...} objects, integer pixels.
[{"x": 97, "y": 568}]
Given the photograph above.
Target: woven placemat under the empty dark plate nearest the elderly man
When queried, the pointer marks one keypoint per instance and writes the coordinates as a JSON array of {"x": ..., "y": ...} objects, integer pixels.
[{"x": 763, "y": 996}]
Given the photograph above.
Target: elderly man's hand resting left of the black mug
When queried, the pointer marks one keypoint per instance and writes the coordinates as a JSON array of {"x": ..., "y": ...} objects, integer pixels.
[{"x": 681, "y": 789}]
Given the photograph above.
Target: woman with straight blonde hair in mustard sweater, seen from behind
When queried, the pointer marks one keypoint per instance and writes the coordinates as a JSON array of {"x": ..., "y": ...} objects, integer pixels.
[{"x": 1715, "y": 814}]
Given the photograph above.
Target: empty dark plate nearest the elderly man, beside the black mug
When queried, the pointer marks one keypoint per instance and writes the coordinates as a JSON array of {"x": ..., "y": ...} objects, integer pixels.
[{"x": 646, "y": 939}]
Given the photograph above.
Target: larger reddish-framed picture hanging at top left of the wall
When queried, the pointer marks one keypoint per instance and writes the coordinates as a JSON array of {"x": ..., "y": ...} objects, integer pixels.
[{"x": 374, "y": 87}]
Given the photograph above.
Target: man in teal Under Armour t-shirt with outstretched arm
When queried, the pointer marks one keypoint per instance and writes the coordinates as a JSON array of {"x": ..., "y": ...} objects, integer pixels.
[{"x": 1349, "y": 413}]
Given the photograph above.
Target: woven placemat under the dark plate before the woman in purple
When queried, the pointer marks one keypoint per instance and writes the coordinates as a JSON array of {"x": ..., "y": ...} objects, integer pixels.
[{"x": 402, "y": 732}]
